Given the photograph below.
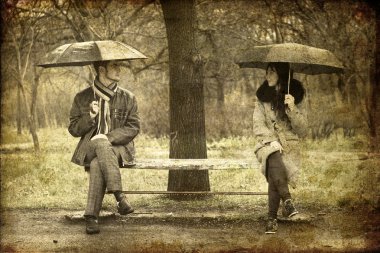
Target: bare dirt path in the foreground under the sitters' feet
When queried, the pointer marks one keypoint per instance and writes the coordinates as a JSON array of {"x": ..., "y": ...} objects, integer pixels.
[{"x": 337, "y": 230}]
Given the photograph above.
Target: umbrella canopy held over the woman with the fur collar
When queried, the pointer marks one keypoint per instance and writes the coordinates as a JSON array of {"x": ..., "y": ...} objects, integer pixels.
[{"x": 302, "y": 59}]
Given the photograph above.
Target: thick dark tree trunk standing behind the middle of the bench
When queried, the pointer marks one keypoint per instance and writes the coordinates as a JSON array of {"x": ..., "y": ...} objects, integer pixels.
[{"x": 187, "y": 117}]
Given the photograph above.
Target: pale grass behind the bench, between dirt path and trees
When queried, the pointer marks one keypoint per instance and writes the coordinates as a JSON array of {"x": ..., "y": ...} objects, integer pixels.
[{"x": 332, "y": 174}]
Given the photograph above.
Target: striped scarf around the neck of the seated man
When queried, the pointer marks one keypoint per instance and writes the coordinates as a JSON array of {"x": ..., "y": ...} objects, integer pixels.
[{"x": 105, "y": 94}]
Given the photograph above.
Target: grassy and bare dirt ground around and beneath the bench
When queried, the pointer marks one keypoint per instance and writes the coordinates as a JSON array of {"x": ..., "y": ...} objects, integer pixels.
[{"x": 43, "y": 197}]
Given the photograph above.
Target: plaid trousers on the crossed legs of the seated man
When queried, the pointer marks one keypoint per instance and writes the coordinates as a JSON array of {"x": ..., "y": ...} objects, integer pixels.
[{"x": 104, "y": 174}]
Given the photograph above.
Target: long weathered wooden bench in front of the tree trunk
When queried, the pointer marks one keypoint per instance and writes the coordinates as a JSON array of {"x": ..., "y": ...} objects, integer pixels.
[{"x": 195, "y": 164}]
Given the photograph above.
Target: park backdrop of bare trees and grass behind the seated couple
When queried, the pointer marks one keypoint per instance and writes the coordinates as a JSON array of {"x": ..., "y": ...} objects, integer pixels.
[{"x": 340, "y": 152}]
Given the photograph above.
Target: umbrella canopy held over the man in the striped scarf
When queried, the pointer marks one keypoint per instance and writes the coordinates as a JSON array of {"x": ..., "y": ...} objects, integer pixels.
[{"x": 84, "y": 53}]
